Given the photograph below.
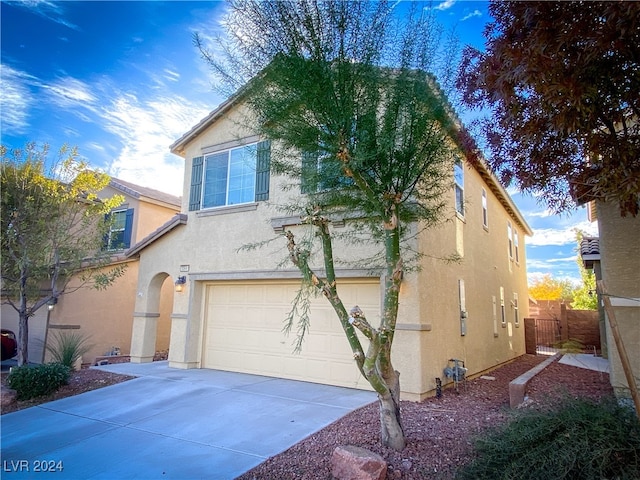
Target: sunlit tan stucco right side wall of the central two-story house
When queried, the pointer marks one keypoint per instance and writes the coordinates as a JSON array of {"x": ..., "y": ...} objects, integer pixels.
[{"x": 433, "y": 293}]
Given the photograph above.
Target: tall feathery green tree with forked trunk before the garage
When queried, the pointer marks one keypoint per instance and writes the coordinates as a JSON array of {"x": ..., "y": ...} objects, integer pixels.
[{"x": 347, "y": 86}]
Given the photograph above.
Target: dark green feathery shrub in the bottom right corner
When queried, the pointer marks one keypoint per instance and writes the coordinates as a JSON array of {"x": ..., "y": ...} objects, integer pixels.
[{"x": 579, "y": 439}]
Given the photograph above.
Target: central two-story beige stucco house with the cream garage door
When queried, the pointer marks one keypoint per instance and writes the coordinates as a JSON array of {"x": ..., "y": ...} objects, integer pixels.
[{"x": 231, "y": 312}]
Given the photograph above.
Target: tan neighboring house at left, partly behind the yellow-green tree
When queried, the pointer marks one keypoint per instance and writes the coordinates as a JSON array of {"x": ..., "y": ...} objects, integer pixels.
[{"x": 105, "y": 316}]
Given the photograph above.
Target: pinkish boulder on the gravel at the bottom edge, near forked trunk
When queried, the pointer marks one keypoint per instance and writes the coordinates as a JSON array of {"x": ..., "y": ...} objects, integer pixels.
[{"x": 356, "y": 463}]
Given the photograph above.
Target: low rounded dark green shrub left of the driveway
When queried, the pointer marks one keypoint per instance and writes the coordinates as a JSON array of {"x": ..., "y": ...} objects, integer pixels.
[{"x": 36, "y": 380}]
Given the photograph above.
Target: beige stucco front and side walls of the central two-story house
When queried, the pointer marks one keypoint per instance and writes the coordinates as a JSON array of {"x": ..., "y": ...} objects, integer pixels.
[{"x": 209, "y": 248}]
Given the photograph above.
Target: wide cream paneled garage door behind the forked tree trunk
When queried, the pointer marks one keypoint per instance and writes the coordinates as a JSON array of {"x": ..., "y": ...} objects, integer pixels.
[{"x": 243, "y": 331}]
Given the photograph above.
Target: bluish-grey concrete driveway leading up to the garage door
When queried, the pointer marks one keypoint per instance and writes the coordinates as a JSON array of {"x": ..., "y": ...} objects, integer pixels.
[{"x": 170, "y": 424}]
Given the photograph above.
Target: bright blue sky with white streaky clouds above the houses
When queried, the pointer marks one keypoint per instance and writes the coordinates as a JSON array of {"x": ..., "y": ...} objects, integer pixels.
[{"x": 122, "y": 80}]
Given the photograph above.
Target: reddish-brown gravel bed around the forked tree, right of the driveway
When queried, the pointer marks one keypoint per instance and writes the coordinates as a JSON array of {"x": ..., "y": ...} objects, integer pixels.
[{"x": 439, "y": 431}]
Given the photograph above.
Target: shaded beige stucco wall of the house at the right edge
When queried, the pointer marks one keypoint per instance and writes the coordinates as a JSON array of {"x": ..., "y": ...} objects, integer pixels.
[{"x": 620, "y": 261}]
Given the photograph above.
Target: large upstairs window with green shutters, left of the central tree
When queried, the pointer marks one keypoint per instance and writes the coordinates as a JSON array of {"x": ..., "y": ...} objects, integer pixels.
[{"x": 231, "y": 177}]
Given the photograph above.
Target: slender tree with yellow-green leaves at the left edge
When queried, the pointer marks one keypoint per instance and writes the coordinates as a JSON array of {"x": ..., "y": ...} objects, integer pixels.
[{"x": 52, "y": 230}]
